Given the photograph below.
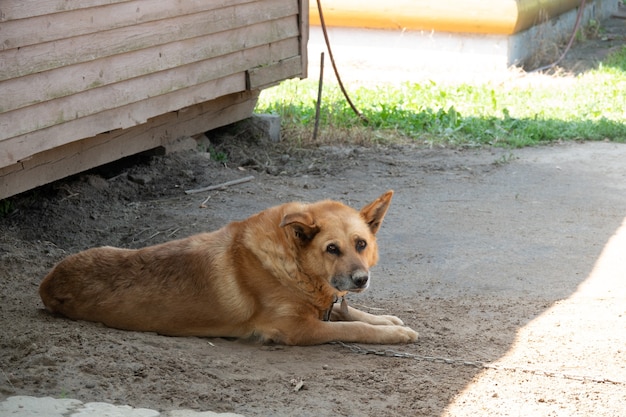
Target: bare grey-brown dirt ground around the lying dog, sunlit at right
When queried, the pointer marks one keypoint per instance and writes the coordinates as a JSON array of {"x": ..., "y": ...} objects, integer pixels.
[{"x": 504, "y": 261}]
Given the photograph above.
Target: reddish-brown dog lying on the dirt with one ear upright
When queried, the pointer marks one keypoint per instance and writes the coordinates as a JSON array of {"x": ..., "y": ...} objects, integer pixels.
[{"x": 273, "y": 277}]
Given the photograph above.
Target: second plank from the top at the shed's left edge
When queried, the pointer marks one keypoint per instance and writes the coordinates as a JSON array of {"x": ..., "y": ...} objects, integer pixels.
[{"x": 51, "y": 27}]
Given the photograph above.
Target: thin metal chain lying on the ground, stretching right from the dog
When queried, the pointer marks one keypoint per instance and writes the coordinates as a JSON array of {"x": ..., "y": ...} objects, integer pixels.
[{"x": 390, "y": 353}]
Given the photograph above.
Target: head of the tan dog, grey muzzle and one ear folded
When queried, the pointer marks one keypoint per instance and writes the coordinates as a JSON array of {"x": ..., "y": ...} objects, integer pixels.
[{"x": 337, "y": 242}]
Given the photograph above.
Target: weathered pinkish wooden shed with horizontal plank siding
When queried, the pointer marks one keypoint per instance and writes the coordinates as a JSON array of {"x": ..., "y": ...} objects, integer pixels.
[{"x": 83, "y": 83}]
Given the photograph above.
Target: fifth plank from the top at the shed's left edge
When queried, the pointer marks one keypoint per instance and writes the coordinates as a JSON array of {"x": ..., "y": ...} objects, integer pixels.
[{"x": 65, "y": 109}]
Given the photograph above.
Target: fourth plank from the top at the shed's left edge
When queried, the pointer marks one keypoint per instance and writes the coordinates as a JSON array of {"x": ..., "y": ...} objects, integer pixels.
[{"x": 65, "y": 81}]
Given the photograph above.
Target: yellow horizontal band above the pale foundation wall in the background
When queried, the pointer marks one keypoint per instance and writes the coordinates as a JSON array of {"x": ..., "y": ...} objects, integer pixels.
[{"x": 470, "y": 16}]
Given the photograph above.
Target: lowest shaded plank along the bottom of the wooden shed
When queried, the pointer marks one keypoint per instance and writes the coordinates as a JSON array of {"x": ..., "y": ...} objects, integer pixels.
[{"x": 79, "y": 156}]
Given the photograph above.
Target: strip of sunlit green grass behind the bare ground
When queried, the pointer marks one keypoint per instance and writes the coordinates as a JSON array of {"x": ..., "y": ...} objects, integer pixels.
[{"x": 591, "y": 106}]
